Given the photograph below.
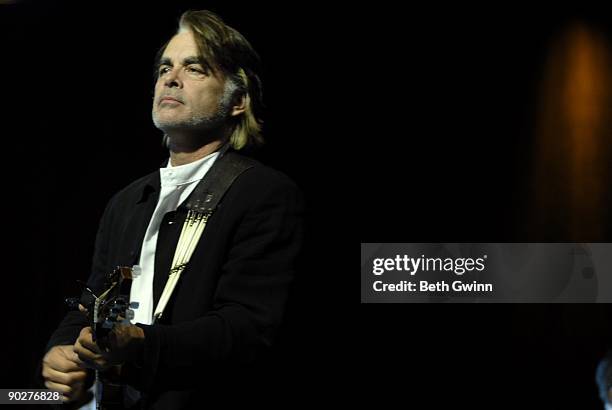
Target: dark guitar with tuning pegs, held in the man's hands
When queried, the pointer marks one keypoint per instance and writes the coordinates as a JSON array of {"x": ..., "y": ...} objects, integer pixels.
[{"x": 105, "y": 311}]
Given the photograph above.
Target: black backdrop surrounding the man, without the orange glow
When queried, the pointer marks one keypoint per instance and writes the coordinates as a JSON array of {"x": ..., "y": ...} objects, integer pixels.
[{"x": 409, "y": 124}]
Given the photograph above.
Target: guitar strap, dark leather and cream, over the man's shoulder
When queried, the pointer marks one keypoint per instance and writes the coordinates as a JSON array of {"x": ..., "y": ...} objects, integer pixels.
[{"x": 201, "y": 204}]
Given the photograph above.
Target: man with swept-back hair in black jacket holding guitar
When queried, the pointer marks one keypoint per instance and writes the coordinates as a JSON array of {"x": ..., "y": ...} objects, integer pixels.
[{"x": 229, "y": 299}]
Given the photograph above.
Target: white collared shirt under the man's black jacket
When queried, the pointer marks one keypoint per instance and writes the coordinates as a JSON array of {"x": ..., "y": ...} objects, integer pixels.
[{"x": 176, "y": 185}]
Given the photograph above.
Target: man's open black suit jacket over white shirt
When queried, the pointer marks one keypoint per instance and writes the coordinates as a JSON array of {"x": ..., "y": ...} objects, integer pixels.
[{"x": 230, "y": 299}]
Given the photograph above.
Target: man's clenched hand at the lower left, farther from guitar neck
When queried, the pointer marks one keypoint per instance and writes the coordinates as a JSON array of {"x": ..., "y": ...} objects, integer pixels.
[{"x": 62, "y": 372}]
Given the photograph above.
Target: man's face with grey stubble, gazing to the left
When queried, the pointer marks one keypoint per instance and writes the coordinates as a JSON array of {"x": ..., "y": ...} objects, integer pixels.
[{"x": 187, "y": 96}]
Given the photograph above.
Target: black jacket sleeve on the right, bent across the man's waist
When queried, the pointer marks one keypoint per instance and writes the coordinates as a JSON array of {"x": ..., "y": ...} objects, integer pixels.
[{"x": 249, "y": 300}]
